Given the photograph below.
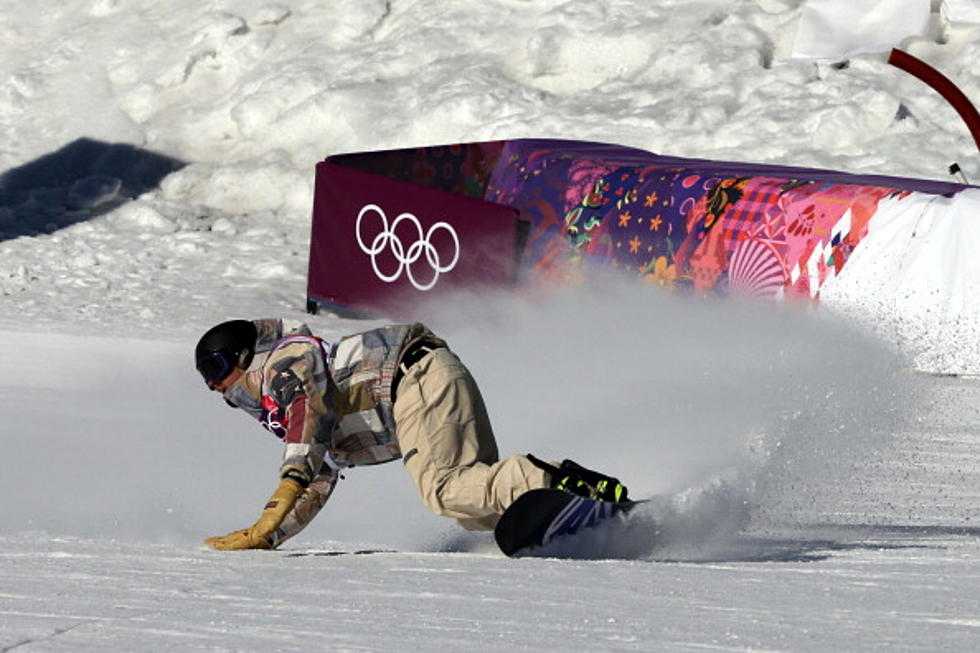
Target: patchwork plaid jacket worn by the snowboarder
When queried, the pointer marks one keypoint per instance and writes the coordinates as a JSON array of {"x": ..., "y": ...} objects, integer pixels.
[{"x": 330, "y": 403}]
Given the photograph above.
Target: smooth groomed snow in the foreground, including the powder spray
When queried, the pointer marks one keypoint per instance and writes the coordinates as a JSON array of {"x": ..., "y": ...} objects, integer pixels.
[{"x": 808, "y": 493}]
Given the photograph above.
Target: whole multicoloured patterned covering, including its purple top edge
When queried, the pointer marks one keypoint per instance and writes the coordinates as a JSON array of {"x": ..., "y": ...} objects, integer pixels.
[{"x": 715, "y": 227}]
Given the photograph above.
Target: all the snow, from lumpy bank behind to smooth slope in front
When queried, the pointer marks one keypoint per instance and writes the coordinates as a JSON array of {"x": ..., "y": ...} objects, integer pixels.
[{"x": 812, "y": 490}]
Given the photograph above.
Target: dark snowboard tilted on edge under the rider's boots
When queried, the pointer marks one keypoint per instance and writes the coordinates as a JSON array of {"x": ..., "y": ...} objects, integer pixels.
[{"x": 539, "y": 517}]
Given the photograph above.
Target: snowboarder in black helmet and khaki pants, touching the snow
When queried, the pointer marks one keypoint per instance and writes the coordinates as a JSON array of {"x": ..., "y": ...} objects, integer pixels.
[{"x": 388, "y": 393}]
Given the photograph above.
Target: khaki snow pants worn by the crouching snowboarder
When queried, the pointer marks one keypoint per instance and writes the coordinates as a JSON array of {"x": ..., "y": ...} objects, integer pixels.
[{"x": 448, "y": 446}]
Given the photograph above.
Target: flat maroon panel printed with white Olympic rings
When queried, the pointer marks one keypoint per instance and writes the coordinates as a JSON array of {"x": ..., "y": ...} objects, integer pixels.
[{"x": 381, "y": 245}]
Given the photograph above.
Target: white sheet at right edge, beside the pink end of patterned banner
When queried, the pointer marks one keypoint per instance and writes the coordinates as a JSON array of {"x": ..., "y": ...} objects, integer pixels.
[{"x": 914, "y": 279}]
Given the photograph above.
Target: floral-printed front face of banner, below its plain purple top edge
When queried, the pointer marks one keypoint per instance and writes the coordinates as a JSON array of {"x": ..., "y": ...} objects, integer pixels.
[{"x": 761, "y": 236}]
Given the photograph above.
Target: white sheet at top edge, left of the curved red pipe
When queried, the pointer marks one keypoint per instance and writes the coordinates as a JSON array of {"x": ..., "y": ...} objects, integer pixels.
[{"x": 833, "y": 30}]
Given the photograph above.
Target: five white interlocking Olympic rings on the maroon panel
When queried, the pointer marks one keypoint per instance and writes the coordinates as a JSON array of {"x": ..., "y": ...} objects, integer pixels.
[{"x": 406, "y": 257}]
